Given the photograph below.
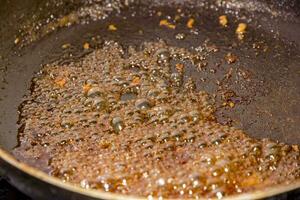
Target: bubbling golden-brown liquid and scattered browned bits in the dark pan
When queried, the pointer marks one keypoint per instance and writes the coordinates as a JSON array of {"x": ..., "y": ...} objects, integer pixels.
[{"x": 133, "y": 120}]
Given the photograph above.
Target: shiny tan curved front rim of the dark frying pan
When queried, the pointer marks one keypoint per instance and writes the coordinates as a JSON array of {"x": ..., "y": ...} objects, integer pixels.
[{"x": 40, "y": 175}]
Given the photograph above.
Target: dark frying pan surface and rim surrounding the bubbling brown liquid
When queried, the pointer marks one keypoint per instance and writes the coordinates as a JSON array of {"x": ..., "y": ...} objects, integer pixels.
[{"x": 269, "y": 105}]
